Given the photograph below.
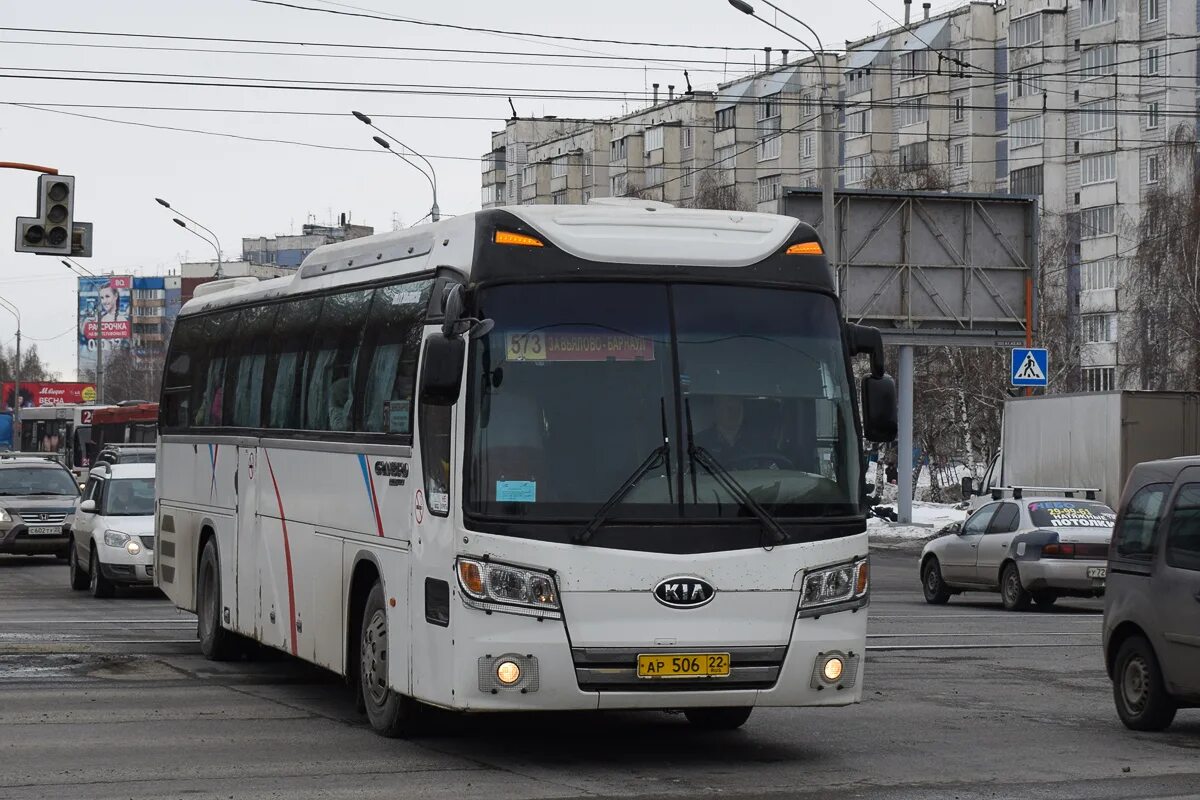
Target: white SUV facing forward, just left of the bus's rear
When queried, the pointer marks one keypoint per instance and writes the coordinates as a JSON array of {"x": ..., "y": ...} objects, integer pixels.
[{"x": 112, "y": 532}]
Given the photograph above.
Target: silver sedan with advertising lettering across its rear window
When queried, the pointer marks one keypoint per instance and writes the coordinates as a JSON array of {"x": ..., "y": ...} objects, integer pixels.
[{"x": 1028, "y": 549}]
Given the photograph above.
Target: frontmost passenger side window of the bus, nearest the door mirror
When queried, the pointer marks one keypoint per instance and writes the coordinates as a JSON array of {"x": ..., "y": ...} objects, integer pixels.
[{"x": 388, "y": 362}]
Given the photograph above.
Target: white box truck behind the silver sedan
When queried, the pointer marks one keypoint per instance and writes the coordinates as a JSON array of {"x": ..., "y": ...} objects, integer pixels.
[{"x": 1089, "y": 441}]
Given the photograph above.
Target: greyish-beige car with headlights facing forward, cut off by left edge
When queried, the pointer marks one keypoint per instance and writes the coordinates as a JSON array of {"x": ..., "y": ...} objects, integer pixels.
[{"x": 37, "y": 496}]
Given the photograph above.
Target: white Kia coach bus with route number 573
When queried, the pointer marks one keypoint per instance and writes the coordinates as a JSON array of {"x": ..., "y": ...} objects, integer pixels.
[{"x": 532, "y": 459}]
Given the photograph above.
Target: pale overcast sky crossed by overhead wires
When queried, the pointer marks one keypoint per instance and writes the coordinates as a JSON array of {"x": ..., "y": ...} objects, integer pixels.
[{"x": 251, "y": 189}]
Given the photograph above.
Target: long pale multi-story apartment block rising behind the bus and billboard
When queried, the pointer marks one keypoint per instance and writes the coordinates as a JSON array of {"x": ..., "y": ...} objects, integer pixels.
[{"x": 1070, "y": 101}]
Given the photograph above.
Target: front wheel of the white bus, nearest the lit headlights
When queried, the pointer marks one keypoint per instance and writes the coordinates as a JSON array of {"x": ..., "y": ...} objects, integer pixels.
[{"x": 392, "y": 714}]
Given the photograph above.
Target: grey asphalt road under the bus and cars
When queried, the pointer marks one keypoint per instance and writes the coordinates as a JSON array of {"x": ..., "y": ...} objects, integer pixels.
[{"x": 112, "y": 700}]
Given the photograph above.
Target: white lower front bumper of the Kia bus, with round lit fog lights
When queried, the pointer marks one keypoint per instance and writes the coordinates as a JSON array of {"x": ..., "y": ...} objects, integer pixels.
[{"x": 554, "y": 676}]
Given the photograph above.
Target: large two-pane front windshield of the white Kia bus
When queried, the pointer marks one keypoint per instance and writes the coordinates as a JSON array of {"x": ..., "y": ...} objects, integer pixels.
[{"x": 579, "y": 384}]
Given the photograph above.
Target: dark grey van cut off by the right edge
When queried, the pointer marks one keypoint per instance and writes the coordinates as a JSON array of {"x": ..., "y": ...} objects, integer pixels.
[{"x": 1153, "y": 606}]
